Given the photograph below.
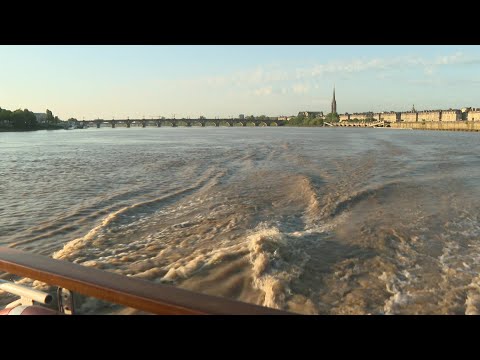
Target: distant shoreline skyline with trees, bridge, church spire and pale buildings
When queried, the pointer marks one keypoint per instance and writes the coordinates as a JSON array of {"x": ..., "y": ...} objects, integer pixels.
[{"x": 27, "y": 120}]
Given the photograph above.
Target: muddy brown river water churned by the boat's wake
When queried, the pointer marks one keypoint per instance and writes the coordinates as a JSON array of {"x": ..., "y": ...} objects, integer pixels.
[{"x": 310, "y": 220}]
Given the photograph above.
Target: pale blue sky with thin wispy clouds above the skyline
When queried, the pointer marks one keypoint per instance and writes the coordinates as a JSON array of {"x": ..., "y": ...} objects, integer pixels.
[{"x": 106, "y": 81}]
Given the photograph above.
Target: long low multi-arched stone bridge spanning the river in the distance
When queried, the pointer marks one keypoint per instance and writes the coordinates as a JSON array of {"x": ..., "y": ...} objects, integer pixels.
[{"x": 182, "y": 122}]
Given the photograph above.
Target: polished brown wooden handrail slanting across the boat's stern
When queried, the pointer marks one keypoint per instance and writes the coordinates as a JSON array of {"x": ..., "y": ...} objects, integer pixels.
[{"x": 123, "y": 290}]
